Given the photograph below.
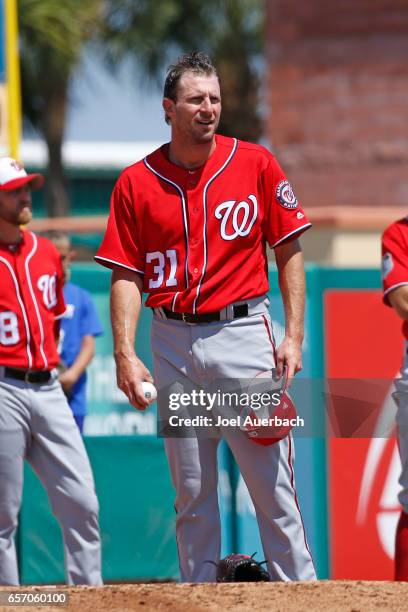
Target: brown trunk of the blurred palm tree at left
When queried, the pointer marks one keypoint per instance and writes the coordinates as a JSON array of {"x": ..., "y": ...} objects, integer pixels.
[{"x": 52, "y": 125}]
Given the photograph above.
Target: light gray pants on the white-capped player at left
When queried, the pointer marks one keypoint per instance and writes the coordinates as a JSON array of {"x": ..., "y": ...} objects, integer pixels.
[{"x": 36, "y": 424}]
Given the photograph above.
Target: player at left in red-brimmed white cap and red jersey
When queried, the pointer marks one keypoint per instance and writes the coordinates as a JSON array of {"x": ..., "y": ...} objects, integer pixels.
[{"x": 36, "y": 422}]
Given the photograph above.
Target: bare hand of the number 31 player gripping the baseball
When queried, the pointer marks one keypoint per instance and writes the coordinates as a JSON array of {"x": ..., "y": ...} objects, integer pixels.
[{"x": 130, "y": 373}]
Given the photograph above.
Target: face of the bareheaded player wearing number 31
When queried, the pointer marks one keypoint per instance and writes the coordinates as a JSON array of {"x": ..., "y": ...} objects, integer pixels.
[{"x": 196, "y": 112}]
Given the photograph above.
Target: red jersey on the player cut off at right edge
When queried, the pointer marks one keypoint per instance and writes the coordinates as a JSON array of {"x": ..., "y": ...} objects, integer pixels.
[{"x": 395, "y": 260}]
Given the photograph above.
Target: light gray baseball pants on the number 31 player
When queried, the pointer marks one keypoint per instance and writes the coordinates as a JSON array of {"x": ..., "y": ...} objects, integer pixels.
[{"x": 199, "y": 355}]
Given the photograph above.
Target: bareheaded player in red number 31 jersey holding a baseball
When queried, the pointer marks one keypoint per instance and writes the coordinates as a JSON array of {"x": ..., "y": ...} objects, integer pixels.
[{"x": 189, "y": 226}]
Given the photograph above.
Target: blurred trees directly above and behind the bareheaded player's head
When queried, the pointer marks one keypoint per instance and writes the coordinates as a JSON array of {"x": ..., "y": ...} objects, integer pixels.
[{"x": 230, "y": 31}]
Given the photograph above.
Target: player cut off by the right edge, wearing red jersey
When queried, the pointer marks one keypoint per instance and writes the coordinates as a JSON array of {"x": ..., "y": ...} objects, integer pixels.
[{"x": 395, "y": 284}]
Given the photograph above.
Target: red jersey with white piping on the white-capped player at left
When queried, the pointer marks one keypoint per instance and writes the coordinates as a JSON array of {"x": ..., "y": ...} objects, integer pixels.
[{"x": 31, "y": 299}]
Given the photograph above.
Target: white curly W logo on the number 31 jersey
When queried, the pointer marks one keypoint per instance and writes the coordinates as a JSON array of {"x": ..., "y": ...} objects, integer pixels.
[{"x": 237, "y": 215}]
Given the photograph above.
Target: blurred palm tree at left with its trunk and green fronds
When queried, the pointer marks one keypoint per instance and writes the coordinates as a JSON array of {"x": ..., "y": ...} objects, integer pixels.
[{"x": 52, "y": 36}]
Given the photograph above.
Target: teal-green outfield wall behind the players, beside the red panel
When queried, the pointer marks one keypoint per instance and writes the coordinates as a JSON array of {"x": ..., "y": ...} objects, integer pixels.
[{"x": 132, "y": 479}]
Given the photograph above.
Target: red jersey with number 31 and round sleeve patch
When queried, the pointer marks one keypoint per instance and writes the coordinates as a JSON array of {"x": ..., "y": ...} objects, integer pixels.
[{"x": 199, "y": 236}]
